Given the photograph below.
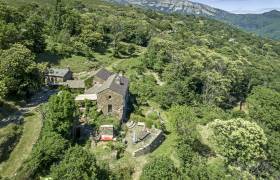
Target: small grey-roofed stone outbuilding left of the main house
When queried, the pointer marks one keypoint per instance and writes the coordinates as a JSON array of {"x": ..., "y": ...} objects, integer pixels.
[{"x": 56, "y": 76}]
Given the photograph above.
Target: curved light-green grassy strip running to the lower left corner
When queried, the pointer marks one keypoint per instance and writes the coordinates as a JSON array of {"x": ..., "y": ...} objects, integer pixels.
[{"x": 31, "y": 130}]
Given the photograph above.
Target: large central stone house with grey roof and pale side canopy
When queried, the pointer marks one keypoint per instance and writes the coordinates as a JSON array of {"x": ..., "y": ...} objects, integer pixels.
[{"x": 110, "y": 91}]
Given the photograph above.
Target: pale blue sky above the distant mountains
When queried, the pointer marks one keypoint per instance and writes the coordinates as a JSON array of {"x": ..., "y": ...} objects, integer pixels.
[{"x": 243, "y": 6}]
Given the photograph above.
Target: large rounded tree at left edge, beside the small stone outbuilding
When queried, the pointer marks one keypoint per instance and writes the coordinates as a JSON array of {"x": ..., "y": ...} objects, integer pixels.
[{"x": 19, "y": 72}]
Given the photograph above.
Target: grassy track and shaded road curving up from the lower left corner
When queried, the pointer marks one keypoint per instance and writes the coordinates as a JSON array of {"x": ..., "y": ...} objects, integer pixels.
[{"x": 31, "y": 131}]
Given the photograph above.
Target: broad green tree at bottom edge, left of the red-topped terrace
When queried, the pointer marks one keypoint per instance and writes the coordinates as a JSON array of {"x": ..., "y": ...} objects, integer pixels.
[{"x": 78, "y": 163}]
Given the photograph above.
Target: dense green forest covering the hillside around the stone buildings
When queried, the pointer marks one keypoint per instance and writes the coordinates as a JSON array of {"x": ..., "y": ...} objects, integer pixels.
[{"x": 218, "y": 87}]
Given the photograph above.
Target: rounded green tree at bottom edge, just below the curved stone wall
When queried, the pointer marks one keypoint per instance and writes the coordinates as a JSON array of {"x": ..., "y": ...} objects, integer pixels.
[{"x": 159, "y": 168}]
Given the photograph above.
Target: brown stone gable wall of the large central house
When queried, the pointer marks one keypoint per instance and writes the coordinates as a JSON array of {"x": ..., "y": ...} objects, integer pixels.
[{"x": 112, "y": 103}]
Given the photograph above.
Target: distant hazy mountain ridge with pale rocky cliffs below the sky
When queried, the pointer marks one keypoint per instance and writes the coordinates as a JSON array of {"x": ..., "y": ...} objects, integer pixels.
[{"x": 265, "y": 25}]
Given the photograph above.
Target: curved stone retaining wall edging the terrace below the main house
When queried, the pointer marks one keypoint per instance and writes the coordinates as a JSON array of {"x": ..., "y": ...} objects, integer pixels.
[{"x": 151, "y": 146}]
